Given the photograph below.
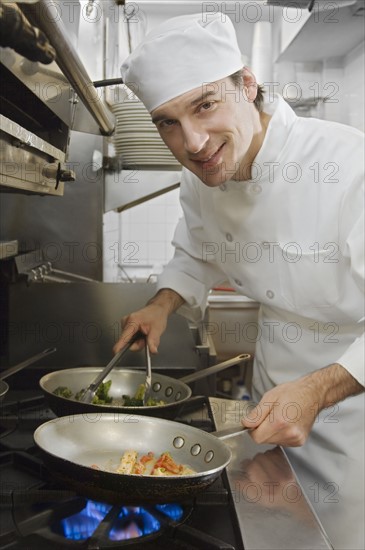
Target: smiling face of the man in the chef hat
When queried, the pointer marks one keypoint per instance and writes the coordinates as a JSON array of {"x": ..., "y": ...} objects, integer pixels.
[{"x": 214, "y": 130}]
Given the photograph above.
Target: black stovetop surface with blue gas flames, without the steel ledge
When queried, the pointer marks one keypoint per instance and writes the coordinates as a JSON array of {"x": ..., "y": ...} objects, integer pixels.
[{"x": 37, "y": 513}]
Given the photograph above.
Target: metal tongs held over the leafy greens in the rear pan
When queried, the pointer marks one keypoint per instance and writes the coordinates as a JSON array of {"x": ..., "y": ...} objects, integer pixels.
[{"x": 88, "y": 395}]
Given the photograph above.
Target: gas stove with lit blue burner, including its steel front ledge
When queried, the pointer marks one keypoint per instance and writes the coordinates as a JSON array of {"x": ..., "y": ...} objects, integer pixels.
[{"x": 239, "y": 511}]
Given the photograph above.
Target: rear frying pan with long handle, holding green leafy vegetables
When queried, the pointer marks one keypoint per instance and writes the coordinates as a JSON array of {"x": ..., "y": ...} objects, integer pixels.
[{"x": 126, "y": 382}]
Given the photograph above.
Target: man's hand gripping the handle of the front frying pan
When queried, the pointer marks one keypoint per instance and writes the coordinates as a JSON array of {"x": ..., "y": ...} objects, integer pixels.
[{"x": 286, "y": 414}]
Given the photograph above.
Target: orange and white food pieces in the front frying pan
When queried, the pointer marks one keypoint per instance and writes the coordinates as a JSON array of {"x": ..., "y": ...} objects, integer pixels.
[{"x": 148, "y": 464}]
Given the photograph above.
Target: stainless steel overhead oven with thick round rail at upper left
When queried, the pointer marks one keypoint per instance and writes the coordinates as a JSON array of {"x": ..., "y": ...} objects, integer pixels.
[{"x": 45, "y": 93}]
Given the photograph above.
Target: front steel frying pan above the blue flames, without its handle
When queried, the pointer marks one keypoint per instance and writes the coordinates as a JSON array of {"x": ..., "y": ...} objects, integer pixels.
[{"x": 71, "y": 445}]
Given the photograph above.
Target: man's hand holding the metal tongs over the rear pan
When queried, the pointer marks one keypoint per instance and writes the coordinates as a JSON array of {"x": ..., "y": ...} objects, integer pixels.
[{"x": 151, "y": 320}]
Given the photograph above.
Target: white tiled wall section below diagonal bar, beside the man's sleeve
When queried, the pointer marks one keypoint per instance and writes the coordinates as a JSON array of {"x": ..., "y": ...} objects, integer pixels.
[{"x": 137, "y": 242}]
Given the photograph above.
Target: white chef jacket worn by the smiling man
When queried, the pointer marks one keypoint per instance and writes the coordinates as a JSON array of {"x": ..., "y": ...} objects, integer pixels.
[{"x": 291, "y": 238}]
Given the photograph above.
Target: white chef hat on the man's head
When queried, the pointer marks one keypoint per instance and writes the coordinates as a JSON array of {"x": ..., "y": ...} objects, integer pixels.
[{"x": 181, "y": 54}]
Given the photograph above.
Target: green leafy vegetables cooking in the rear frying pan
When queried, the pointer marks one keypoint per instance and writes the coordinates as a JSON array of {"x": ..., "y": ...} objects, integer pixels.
[{"x": 102, "y": 396}]
